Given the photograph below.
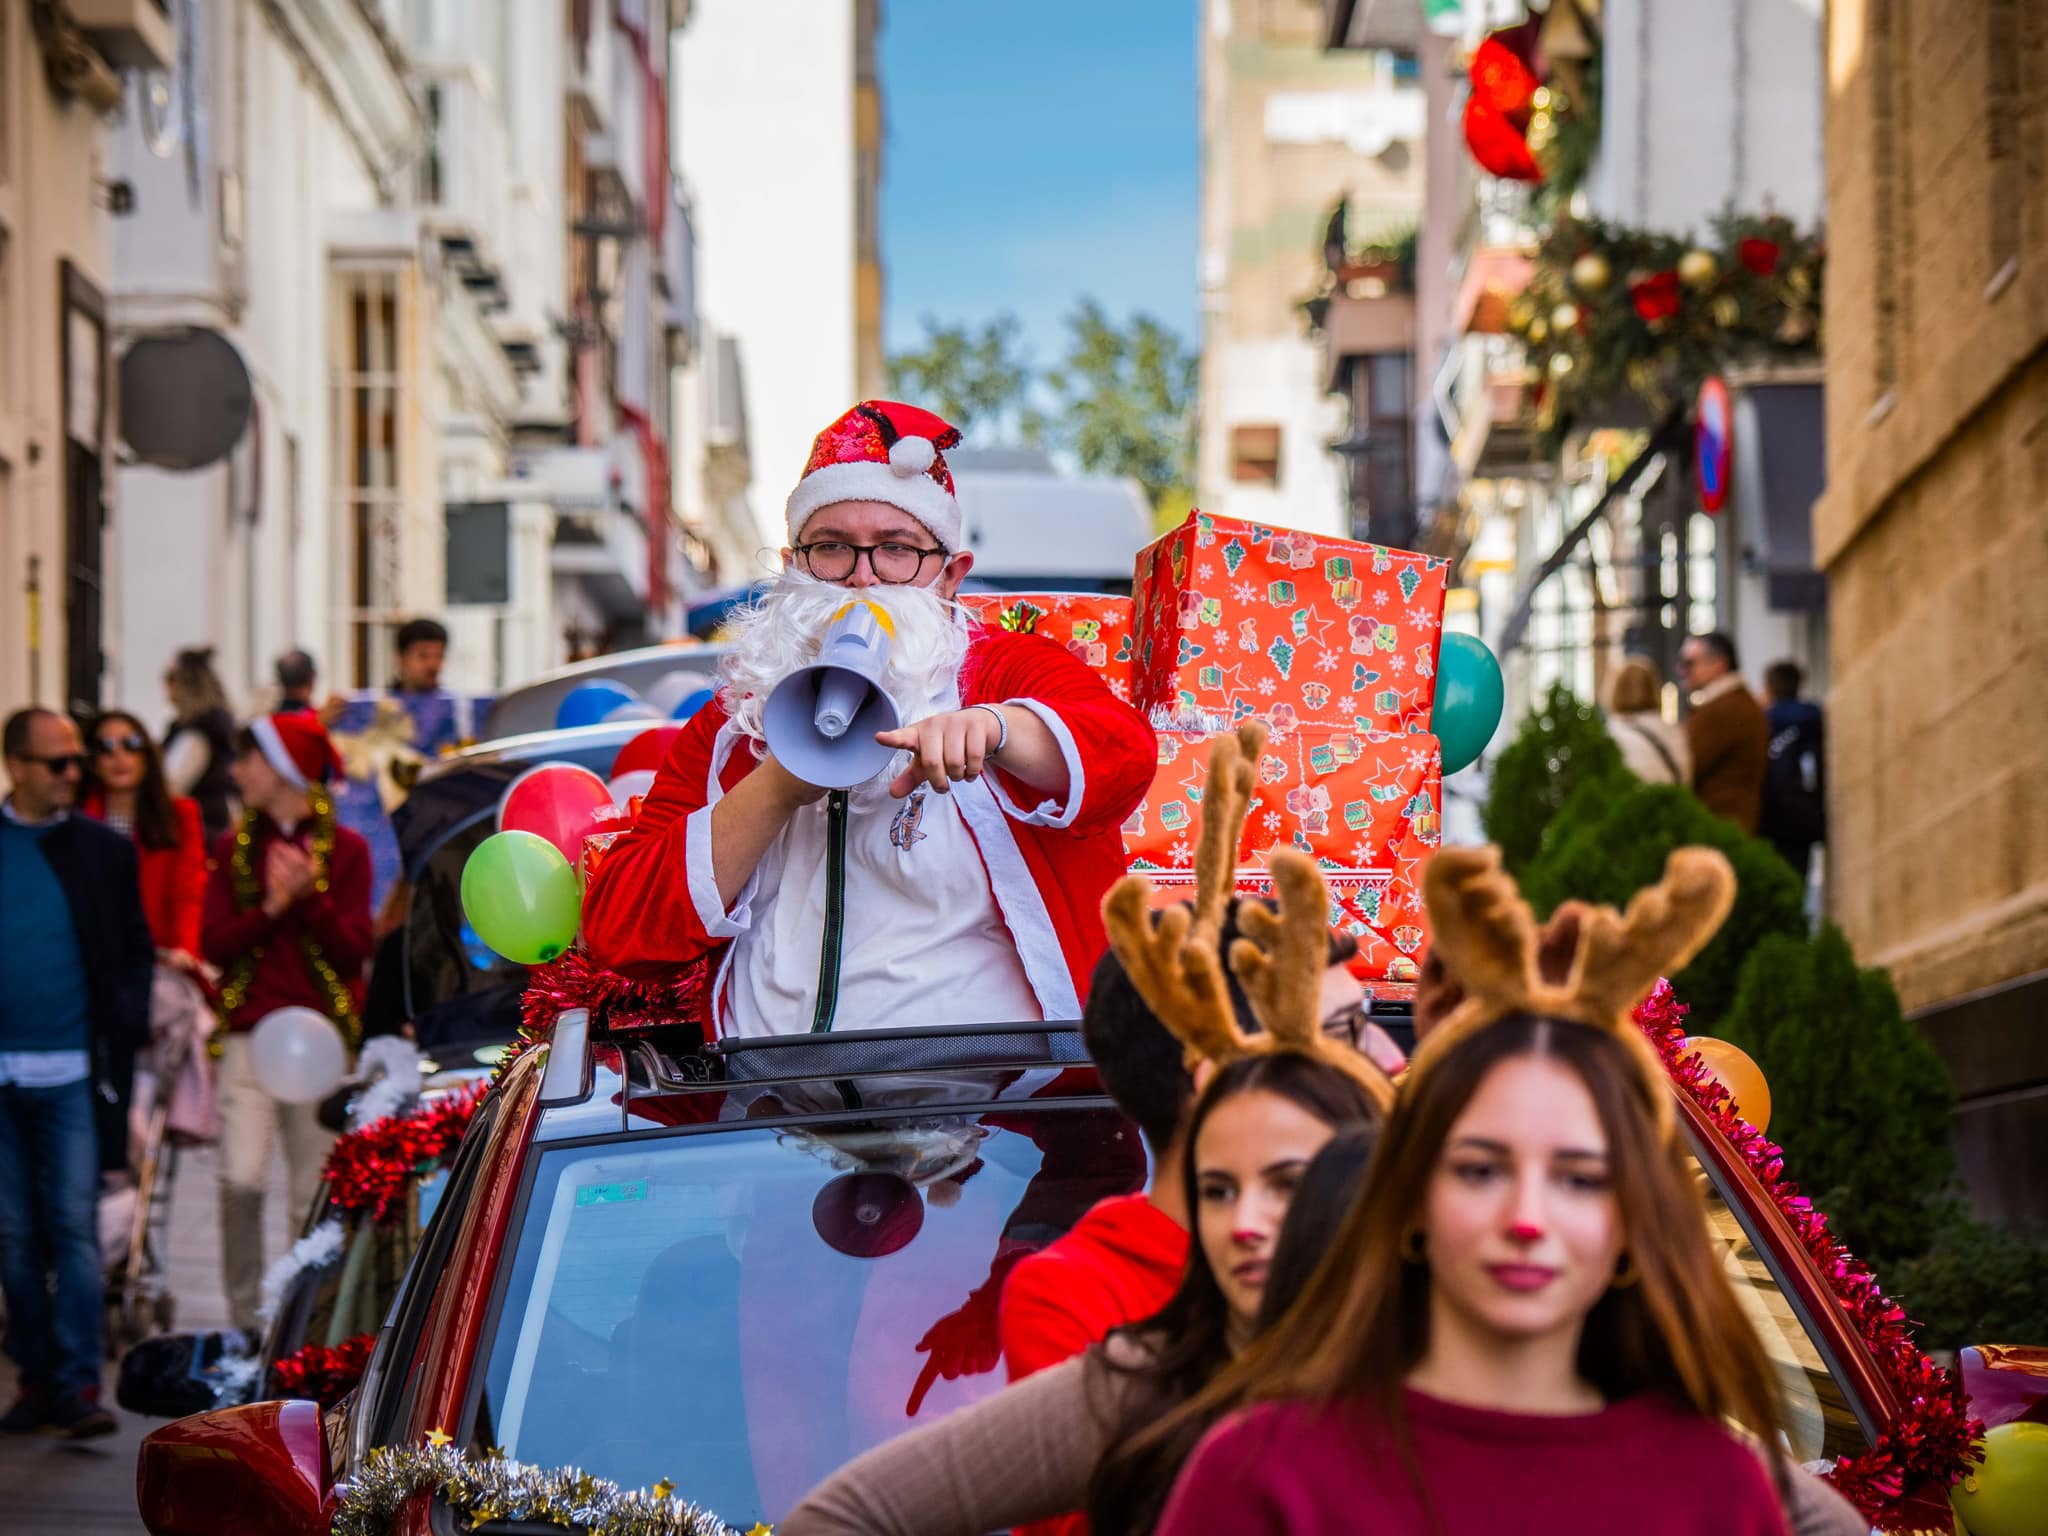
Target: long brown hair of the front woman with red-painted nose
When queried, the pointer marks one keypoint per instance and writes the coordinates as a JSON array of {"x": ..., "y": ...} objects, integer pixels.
[{"x": 1363, "y": 1322}]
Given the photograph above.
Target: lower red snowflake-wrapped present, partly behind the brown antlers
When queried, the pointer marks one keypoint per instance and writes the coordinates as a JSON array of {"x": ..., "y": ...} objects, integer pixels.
[{"x": 1367, "y": 806}]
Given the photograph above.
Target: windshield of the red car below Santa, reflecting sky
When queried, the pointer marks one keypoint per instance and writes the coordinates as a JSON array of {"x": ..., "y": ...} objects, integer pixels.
[{"x": 740, "y": 1312}]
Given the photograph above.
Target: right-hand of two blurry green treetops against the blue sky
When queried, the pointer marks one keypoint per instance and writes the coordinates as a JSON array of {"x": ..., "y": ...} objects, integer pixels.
[{"x": 1127, "y": 400}]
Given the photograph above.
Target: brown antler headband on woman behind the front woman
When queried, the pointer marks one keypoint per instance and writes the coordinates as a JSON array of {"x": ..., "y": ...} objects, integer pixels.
[{"x": 1172, "y": 957}]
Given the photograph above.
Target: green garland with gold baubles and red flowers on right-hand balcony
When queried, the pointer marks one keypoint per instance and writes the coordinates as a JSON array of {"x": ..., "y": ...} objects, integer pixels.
[{"x": 1615, "y": 314}]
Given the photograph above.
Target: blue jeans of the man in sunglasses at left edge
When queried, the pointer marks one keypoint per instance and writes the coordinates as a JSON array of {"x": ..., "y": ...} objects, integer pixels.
[{"x": 50, "y": 1238}]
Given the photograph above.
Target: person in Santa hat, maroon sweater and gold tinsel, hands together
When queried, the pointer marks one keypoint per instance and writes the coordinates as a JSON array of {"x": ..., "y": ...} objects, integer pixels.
[{"x": 290, "y": 925}]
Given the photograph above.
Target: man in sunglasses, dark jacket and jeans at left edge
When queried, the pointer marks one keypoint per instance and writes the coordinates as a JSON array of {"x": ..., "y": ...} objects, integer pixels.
[{"x": 75, "y": 1007}]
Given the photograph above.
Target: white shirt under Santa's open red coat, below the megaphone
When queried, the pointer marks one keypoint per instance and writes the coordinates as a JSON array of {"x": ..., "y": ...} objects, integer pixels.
[{"x": 921, "y": 927}]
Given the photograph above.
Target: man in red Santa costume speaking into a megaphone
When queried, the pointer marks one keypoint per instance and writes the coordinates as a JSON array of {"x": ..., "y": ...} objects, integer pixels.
[{"x": 966, "y": 882}]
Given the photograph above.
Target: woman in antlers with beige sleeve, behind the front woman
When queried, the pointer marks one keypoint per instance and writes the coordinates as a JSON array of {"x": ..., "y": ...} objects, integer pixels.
[{"x": 1080, "y": 1435}]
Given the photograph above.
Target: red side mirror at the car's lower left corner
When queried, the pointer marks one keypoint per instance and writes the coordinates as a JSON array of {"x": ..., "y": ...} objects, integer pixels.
[{"x": 245, "y": 1471}]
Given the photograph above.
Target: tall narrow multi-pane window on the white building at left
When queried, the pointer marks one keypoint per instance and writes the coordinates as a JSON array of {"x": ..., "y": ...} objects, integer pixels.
[{"x": 368, "y": 464}]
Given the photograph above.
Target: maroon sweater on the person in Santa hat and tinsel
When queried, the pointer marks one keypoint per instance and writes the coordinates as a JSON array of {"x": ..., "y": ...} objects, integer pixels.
[{"x": 339, "y": 921}]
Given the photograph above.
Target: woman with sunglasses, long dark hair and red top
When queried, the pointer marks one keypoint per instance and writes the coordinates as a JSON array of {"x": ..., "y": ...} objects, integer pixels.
[{"x": 126, "y": 790}]
